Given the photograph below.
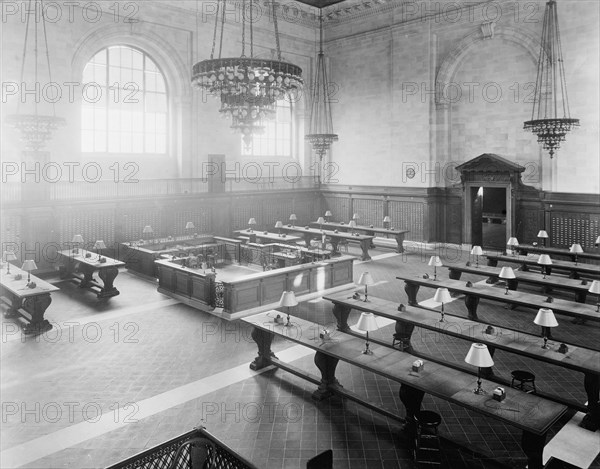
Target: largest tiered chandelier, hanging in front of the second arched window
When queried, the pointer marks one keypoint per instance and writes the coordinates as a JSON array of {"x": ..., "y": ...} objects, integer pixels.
[{"x": 247, "y": 86}]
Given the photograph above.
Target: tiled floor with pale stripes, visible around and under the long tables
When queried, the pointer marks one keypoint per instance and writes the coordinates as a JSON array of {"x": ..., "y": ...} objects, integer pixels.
[{"x": 117, "y": 376}]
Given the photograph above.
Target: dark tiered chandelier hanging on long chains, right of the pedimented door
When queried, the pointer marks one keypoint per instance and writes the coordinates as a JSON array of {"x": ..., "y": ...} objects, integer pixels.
[{"x": 551, "y": 117}]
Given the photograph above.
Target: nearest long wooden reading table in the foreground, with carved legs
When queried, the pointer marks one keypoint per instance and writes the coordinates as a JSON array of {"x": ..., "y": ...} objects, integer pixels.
[{"x": 534, "y": 416}]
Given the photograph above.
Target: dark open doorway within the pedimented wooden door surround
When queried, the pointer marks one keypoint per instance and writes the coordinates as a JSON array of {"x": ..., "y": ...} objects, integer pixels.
[{"x": 488, "y": 217}]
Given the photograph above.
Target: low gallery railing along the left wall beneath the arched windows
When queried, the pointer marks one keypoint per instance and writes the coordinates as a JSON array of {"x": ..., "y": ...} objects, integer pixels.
[{"x": 107, "y": 189}]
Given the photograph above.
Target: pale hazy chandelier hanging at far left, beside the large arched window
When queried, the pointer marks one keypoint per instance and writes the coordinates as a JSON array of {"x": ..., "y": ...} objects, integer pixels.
[{"x": 35, "y": 129}]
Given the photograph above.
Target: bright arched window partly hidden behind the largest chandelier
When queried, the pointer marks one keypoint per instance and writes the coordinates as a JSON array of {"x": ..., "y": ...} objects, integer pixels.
[{"x": 277, "y": 137}]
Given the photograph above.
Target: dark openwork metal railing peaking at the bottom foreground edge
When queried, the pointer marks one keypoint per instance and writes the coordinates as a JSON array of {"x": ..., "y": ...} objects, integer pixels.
[{"x": 197, "y": 449}]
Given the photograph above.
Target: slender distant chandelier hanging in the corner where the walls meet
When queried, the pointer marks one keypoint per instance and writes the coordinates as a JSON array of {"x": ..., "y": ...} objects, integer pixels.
[{"x": 320, "y": 127}]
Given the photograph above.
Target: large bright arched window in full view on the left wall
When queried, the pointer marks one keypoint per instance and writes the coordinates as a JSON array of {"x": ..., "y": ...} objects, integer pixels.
[{"x": 124, "y": 106}]
